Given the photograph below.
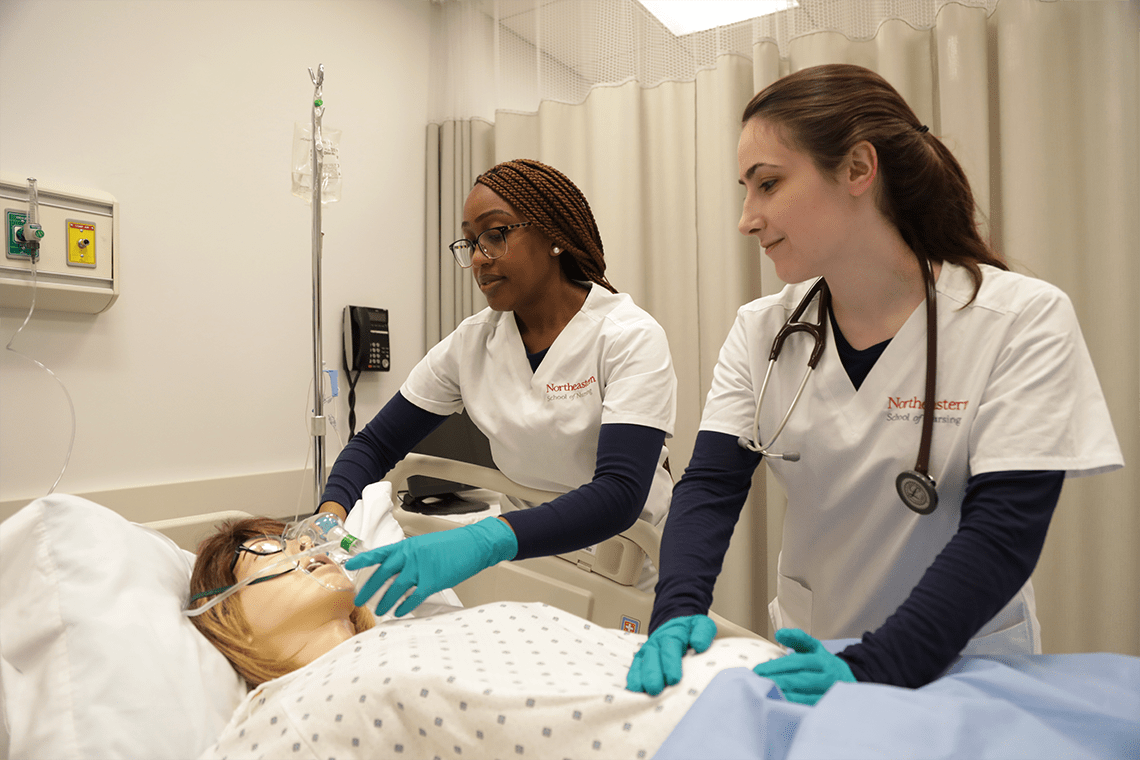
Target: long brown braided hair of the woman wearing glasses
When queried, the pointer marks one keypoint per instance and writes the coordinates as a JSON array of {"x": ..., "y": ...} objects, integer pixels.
[{"x": 556, "y": 206}]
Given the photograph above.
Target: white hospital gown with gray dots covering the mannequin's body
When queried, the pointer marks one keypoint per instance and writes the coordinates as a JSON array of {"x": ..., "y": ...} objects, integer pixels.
[{"x": 502, "y": 681}]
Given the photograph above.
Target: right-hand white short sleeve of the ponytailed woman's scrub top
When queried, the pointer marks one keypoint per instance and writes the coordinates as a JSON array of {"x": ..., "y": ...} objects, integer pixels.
[{"x": 1043, "y": 407}]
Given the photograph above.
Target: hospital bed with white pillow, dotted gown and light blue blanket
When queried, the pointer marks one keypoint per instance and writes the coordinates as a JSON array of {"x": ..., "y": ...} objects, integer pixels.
[{"x": 99, "y": 661}]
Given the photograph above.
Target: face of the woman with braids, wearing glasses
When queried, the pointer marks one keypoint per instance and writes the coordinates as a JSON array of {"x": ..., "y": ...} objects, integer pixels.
[{"x": 520, "y": 280}]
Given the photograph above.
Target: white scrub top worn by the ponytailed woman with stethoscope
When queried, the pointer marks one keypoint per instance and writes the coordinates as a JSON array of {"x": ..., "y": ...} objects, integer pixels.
[{"x": 1016, "y": 390}]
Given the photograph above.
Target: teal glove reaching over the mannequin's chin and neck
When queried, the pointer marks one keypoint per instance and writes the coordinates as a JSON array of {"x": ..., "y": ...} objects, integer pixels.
[{"x": 434, "y": 562}]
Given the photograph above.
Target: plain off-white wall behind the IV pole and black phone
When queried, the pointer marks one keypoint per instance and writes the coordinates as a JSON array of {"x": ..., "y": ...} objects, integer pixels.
[{"x": 184, "y": 111}]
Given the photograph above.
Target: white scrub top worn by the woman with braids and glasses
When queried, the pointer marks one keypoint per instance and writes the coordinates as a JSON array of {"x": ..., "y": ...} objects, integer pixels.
[{"x": 610, "y": 365}]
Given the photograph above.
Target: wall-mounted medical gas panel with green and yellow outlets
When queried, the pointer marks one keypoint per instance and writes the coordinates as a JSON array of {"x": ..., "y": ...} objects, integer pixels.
[{"x": 61, "y": 241}]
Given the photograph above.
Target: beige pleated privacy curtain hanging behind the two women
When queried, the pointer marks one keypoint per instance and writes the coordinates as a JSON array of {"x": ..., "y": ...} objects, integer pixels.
[{"x": 1038, "y": 101}]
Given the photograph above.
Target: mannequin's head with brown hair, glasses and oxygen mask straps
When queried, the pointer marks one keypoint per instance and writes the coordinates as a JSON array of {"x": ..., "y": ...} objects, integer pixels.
[{"x": 275, "y": 627}]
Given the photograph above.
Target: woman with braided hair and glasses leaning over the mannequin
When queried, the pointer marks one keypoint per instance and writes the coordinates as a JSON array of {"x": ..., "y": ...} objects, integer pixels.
[{"x": 571, "y": 381}]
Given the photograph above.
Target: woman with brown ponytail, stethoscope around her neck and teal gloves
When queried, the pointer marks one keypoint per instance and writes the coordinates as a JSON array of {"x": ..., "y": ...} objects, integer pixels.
[{"x": 924, "y": 456}]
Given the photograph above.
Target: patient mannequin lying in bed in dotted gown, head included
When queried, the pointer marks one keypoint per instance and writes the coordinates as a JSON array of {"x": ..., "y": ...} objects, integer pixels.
[{"x": 481, "y": 682}]
